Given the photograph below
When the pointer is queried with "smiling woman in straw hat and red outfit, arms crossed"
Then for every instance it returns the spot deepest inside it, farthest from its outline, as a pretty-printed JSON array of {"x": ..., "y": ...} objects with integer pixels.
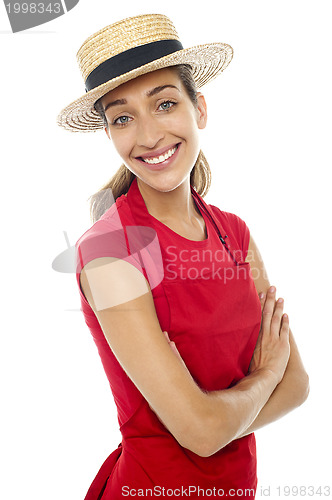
[{"x": 197, "y": 349}]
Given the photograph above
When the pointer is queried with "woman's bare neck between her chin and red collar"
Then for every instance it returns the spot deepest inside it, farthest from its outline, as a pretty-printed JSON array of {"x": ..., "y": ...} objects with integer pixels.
[{"x": 169, "y": 205}]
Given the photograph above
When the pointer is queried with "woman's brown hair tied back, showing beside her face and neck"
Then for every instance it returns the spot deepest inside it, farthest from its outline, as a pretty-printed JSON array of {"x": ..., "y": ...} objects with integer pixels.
[{"x": 200, "y": 176}]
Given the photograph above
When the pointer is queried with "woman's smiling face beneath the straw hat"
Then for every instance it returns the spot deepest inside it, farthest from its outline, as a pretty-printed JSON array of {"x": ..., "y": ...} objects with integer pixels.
[{"x": 154, "y": 126}]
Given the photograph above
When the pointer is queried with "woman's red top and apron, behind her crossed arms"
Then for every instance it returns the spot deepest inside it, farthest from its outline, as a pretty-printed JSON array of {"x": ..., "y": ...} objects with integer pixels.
[{"x": 206, "y": 300}]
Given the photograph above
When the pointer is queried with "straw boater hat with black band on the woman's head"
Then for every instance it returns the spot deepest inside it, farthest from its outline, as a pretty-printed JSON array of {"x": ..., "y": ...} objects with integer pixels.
[{"x": 130, "y": 48}]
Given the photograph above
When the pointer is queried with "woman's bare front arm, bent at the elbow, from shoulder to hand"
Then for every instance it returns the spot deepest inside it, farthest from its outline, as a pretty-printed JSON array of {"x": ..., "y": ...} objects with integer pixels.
[{"x": 203, "y": 422}]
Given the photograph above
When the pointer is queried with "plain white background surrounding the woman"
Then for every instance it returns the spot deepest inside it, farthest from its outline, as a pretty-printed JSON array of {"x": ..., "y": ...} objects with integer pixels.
[{"x": 268, "y": 142}]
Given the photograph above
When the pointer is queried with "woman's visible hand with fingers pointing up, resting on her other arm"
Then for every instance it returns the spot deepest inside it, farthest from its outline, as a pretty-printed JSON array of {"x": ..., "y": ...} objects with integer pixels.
[{"x": 272, "y": 348}]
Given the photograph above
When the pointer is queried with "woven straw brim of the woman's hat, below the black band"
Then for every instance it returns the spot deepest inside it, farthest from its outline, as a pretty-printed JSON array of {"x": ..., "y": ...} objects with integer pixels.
[{"x": 207, "y": 62}]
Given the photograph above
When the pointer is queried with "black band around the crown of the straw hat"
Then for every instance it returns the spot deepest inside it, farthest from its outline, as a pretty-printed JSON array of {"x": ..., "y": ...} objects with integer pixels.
[{"x": 130, "y": 59}]
